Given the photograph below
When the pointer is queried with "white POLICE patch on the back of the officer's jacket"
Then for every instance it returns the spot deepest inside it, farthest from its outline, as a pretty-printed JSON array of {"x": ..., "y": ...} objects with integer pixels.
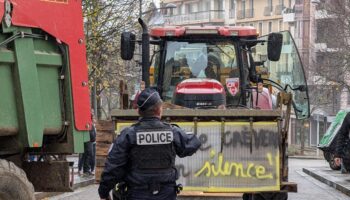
[{"x": 154, "y": 137}]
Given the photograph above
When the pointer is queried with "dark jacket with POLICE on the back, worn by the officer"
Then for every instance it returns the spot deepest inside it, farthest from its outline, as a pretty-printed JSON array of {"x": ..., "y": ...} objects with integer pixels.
[{"x": 122, "y": 161}]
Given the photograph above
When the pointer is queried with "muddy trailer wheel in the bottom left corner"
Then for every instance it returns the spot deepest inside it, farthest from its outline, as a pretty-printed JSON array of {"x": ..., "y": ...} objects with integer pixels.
[{"x": 14, "y": 183}]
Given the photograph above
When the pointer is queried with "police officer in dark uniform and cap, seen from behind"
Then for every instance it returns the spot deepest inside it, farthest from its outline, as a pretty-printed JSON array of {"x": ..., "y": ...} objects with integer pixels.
[{"x": 143, "y": 155}]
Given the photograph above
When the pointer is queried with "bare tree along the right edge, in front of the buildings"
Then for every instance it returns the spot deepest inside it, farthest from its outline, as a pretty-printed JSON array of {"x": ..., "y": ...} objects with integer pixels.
[{"x": 331, "y": 64}]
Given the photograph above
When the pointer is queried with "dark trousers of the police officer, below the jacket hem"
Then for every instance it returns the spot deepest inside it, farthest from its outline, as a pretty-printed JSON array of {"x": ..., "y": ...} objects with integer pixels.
[{"x": 165, "y": 193}]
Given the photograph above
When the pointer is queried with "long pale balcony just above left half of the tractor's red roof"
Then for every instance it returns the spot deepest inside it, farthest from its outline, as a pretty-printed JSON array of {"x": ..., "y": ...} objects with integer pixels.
[{"x": 196, "y": 17}]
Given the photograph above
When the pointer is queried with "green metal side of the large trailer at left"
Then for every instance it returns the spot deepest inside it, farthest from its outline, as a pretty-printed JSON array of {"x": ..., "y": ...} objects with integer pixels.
[{"x": 35, "y": 93}]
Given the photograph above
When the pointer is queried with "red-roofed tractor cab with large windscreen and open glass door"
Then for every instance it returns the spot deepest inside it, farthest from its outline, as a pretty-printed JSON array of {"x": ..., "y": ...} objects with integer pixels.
[{"x": 226, "y": 68}]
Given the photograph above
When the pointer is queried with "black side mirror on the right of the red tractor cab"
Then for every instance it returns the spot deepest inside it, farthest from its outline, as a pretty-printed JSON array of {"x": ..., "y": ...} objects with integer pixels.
[{"x": 274, "y": 46}]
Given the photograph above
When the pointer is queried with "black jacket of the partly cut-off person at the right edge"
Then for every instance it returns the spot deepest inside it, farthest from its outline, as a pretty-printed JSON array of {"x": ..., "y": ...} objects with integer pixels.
[{"x": 342, "y": 138}]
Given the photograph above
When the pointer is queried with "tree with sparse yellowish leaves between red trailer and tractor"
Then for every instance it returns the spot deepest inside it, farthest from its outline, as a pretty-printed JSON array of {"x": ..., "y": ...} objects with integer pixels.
[{"x": 105, "y": 20}]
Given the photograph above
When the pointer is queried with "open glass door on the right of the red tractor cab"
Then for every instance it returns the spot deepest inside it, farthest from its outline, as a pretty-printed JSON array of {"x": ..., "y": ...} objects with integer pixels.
[{"x": 287, "y": 73}]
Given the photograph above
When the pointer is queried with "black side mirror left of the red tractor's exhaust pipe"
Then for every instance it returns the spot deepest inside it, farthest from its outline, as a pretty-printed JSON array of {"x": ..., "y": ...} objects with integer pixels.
[{"x": 127, "y": 43}]
